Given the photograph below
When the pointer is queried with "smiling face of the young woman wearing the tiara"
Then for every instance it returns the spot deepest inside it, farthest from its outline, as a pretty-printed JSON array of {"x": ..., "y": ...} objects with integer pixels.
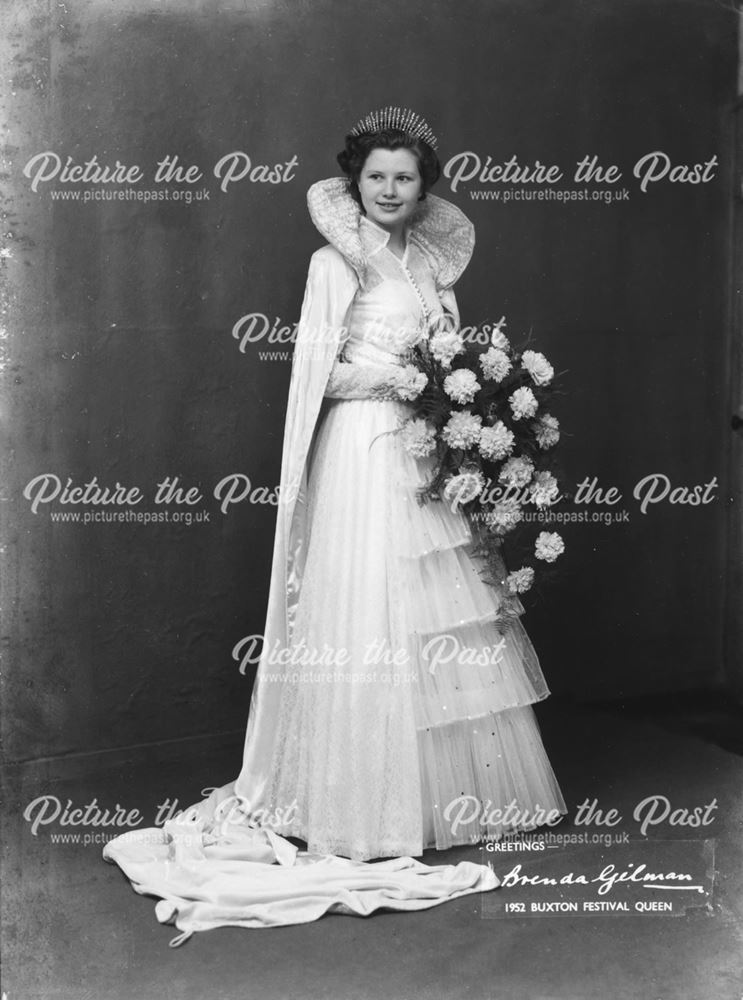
[{"x": 389, "y": 185}]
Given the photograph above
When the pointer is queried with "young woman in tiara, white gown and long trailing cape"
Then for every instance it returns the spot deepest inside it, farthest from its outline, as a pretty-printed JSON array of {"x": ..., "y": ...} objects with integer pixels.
[{"x": 388, "y": 715}]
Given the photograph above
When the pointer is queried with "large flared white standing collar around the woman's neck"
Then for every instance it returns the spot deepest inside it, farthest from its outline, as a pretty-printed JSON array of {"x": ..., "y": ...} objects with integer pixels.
[{"x": 438, "y": 227}]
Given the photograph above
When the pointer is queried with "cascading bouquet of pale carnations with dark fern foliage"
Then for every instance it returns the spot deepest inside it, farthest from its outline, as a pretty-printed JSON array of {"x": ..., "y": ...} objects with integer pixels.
[{"x": 482, "y": 414}]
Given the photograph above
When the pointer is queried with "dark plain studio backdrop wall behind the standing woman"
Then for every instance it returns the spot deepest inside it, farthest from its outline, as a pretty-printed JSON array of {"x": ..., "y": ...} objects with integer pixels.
[{"x": 123, "y": 366}]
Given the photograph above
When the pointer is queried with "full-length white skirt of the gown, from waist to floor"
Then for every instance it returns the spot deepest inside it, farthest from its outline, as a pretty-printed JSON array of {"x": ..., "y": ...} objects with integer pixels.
[{"x": 405, "y": 715}]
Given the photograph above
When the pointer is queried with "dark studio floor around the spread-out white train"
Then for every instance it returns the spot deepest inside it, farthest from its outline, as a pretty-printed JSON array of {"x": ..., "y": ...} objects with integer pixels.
[{"x": 73, "y": 927}]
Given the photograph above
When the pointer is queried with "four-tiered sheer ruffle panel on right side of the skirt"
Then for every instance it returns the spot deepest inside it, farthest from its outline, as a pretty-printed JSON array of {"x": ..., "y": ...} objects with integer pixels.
[{"x": 484, "y": 770}]
